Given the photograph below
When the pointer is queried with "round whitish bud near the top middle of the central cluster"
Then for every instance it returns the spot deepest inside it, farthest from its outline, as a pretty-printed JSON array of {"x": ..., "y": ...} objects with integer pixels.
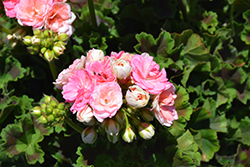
[{"x": 121, "y": 68}]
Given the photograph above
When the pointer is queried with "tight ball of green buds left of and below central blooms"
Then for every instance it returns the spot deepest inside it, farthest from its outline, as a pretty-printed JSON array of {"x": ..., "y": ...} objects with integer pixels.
[{"x": 50, "y": 111}]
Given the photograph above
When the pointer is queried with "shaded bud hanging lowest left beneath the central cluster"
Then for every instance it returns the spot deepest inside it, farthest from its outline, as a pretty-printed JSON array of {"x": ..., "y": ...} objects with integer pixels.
[{"x": 89, "y": 135}]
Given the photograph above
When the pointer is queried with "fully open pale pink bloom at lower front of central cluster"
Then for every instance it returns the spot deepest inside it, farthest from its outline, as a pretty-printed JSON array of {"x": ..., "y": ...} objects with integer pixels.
[{"x": 106, "y": 100}]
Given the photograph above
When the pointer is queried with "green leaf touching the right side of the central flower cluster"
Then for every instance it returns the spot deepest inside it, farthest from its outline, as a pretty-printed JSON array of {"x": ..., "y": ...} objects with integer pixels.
[{"x": 183, "y": 107}]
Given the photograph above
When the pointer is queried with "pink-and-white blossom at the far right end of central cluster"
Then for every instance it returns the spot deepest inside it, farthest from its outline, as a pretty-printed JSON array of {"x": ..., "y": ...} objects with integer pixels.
[{"x": 163, "y": 106}]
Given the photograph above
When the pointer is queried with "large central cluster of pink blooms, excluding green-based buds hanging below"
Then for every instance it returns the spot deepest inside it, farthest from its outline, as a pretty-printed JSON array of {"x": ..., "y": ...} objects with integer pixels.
[{"x": 98, "y": 86}]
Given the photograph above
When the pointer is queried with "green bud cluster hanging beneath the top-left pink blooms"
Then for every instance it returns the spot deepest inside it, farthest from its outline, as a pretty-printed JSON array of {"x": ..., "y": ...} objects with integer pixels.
[{"x": 48, "y": 44}]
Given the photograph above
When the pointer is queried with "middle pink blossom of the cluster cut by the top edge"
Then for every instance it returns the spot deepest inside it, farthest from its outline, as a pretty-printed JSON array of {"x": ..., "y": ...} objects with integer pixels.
[{"x": 32, "y": 12}]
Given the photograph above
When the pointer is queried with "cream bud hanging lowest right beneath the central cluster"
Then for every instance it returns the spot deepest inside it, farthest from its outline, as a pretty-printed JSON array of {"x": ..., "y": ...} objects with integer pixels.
[{"x": 146, "y": 130}]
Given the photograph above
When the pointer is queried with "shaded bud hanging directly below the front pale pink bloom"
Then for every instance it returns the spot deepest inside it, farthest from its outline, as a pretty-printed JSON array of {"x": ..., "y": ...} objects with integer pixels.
[{"x": 111, "y": 127}]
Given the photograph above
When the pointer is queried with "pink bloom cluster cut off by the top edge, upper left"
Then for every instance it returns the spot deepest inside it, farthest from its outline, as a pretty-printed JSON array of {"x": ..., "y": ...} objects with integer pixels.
[{"x": 49, "y": 14}]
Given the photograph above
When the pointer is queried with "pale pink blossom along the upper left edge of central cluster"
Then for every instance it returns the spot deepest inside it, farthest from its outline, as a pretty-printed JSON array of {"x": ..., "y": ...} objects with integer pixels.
[{"x": 63, "y": 77}]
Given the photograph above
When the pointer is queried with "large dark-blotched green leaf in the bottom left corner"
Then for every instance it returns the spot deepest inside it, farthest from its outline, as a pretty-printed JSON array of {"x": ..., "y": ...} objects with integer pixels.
[{"x": 24, "y": 137}]
